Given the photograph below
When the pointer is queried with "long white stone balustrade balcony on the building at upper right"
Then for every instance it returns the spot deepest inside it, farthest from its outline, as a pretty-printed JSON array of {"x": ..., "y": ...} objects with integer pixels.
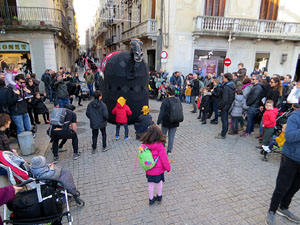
[{"x": 260, "y": 29}]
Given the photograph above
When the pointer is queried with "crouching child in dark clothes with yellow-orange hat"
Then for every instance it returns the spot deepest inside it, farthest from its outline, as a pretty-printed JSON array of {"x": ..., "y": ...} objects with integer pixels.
[{"x": 145, "y": 120}]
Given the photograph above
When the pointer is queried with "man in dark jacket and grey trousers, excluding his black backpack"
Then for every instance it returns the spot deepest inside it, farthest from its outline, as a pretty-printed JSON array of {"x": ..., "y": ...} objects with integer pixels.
[{"x": 164, "y": 117}]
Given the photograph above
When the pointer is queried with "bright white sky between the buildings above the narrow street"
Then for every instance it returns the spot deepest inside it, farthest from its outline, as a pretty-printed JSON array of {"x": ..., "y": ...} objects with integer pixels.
[{"x": 85, "y": 12}]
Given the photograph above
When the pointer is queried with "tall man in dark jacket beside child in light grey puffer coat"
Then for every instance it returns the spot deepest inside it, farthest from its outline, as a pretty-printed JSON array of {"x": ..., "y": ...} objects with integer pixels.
[{"x": 228, "y": 95}]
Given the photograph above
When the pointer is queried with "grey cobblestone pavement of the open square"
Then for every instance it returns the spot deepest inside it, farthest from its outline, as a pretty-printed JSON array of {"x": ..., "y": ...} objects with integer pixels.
[{"x": 212, "y": 181}]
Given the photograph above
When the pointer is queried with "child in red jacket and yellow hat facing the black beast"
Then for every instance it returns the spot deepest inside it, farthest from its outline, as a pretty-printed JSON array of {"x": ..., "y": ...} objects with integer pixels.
[{"x": 121, "y": 111}]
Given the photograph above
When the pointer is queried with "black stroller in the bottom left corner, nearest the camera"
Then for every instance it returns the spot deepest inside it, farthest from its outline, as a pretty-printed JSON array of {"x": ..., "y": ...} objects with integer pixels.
[{"x": 41, "y": 205}]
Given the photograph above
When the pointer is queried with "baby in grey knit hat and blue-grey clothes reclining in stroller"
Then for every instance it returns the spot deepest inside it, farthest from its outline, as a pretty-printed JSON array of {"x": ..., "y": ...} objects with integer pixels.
[{"x": 40, "y": 169}]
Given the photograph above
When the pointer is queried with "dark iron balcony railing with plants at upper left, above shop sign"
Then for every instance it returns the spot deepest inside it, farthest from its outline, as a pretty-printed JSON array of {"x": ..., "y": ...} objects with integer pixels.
[{"x": 33, "y": 17}]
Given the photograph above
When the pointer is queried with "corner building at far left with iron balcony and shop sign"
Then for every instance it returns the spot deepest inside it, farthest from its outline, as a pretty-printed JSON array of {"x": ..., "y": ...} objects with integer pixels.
[{"x": 47, "y": 28}]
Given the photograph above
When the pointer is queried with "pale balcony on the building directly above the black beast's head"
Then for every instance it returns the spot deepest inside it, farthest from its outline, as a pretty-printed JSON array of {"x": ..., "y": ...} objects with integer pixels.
[{"x": 147, "y": 28}]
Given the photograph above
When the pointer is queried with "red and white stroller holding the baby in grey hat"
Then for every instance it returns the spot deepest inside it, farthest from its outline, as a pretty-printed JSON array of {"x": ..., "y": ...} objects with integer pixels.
[{"x": 18, "y": 171}]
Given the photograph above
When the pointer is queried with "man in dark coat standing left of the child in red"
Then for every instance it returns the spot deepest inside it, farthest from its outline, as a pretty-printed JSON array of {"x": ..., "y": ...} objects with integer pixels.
[{"x": 98, "y": 115}]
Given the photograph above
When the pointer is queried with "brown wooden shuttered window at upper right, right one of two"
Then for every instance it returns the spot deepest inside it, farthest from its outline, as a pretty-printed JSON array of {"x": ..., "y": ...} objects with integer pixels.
[{"x": 269, "y": 9}]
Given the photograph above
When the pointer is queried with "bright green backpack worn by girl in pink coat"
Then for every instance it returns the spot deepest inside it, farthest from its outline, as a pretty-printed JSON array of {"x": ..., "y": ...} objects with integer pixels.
[{"x": 145, "y": 158}]
